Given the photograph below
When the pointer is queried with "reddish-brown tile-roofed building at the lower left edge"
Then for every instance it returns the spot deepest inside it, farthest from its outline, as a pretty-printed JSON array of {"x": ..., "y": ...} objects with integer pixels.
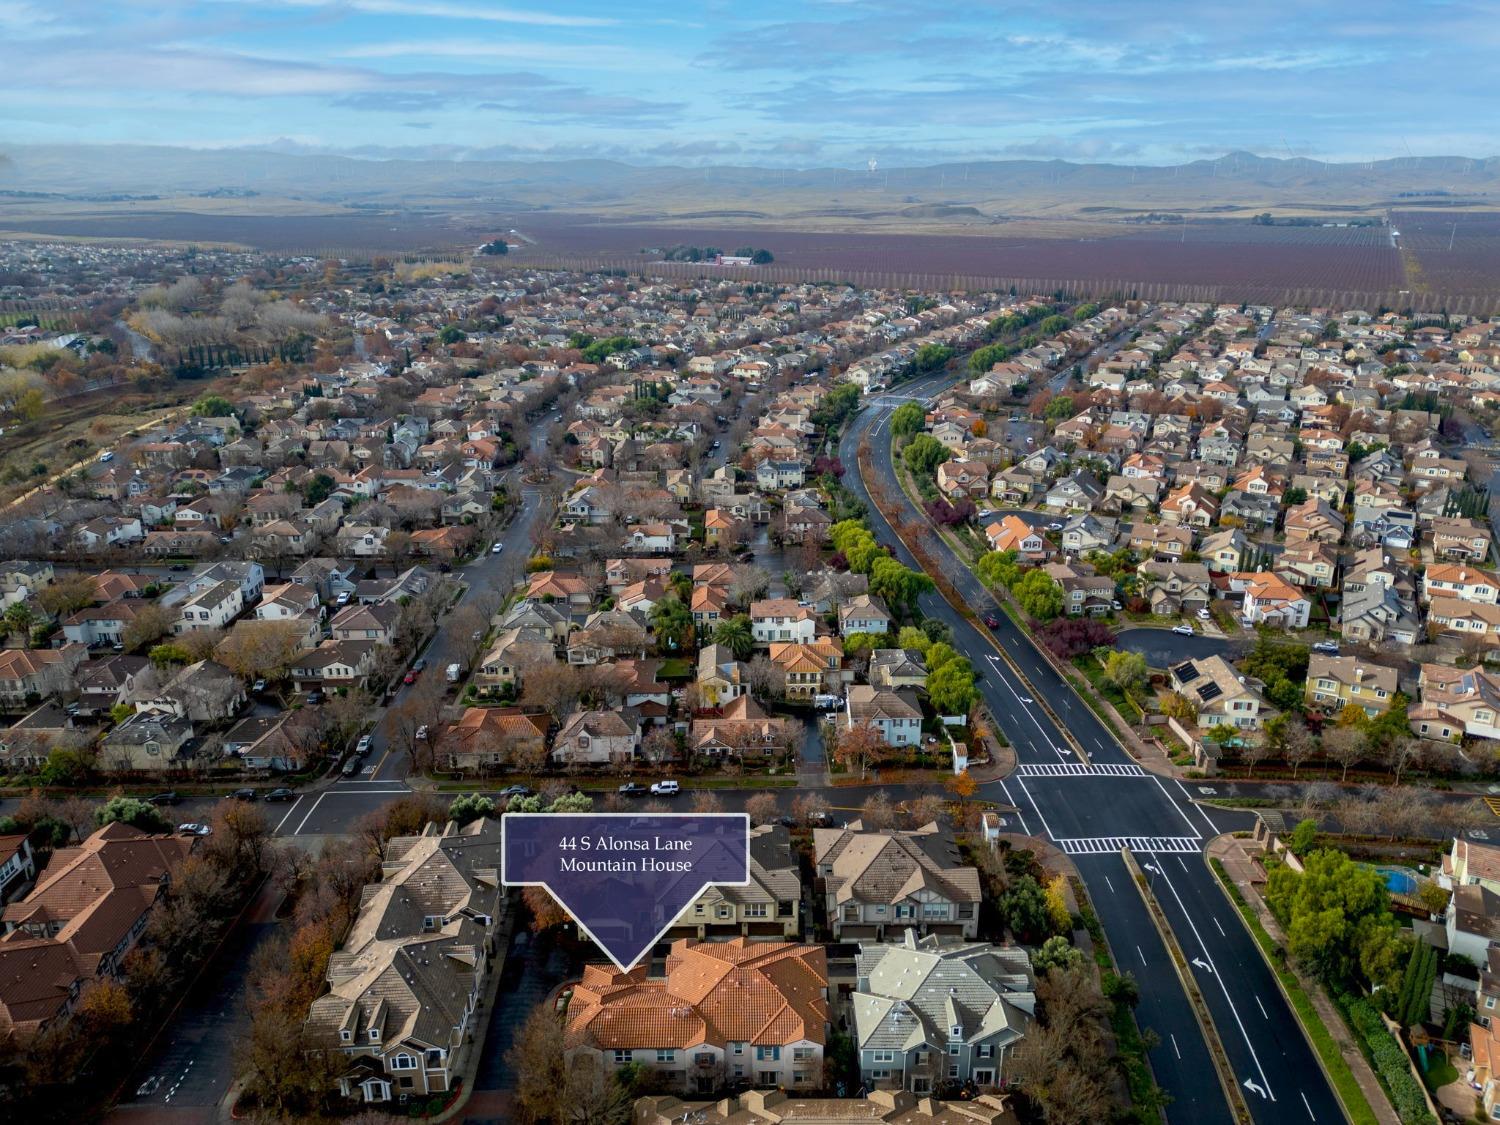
[{"x": 88, "y": 910}]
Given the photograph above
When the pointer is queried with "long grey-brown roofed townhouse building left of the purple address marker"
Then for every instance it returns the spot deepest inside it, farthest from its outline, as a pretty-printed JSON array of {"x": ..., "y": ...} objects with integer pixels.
[{"x": 404, "y": 986}]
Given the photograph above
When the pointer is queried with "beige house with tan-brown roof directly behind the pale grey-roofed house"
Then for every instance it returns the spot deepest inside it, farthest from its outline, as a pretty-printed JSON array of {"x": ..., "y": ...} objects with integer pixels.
[{"x": 880, "y": 883}]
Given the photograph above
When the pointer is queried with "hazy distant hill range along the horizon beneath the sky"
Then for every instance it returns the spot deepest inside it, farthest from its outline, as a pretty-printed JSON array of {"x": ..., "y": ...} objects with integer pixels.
[{"x": 458, "y": 179}]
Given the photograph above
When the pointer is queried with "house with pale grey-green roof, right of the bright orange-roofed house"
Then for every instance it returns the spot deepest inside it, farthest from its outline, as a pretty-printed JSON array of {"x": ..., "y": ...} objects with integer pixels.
[{"x": 937, "y": 1010}]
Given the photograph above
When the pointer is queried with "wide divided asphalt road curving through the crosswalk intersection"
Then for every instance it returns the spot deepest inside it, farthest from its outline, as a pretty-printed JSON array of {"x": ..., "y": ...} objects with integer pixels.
[{"x": 1091, "y": 812}]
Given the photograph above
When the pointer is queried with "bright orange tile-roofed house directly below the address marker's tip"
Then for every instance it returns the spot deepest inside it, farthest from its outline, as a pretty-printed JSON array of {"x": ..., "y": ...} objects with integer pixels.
[{"x": 734, "y": 1012}]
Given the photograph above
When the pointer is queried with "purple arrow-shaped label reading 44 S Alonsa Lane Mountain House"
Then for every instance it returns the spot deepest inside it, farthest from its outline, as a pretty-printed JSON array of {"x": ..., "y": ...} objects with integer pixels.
[{"x": 626, "y": 878}]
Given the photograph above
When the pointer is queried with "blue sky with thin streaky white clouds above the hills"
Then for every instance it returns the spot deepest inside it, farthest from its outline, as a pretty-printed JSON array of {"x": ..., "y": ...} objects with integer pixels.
[{"x": 814, "y": 83}]
